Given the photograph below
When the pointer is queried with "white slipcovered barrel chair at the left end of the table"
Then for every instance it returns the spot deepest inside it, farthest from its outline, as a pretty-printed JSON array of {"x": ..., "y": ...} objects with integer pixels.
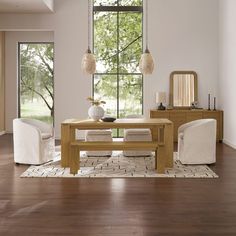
[{"x": 34, "y": 141}]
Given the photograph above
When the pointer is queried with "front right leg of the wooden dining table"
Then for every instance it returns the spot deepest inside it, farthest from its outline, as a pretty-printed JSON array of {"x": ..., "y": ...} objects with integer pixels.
[{"x": 169, "y": 145}]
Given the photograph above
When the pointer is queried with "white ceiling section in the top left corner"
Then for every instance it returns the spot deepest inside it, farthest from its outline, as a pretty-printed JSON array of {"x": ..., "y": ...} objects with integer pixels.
[{"x": 26, "y": 6}]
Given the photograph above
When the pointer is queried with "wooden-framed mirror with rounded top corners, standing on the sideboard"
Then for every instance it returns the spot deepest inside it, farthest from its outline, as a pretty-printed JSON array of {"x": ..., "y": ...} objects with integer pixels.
[{"x": 183, "y": 89}]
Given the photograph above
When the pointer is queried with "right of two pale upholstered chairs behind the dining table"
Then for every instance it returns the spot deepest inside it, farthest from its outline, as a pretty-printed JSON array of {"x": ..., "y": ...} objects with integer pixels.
[{"x": 132, "y": 135}]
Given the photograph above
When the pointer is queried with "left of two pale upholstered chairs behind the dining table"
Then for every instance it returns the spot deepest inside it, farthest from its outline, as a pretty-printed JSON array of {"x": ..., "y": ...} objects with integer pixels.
[{"x": 98, "y": 136}]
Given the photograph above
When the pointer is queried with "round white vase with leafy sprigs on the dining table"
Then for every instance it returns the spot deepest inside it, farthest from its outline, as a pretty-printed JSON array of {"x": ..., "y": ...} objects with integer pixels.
[{"x": 96, "y": 112}]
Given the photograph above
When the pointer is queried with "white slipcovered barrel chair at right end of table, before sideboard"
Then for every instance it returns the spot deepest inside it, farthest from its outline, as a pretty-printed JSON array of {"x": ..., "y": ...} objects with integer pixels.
[{"x": 197, "y": 142}]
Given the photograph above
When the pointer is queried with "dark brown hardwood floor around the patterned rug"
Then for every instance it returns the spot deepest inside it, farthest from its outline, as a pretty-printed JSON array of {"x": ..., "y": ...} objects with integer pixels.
[{"x": 146, "y": 207}]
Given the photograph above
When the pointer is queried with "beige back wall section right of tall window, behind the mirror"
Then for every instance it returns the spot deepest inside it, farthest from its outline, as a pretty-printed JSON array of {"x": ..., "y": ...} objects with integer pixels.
[{"x": 183, "y": 36}]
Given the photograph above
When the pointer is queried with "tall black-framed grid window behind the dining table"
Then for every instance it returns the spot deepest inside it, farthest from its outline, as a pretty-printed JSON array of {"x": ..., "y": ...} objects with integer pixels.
[{"x": 117, "y": 44}]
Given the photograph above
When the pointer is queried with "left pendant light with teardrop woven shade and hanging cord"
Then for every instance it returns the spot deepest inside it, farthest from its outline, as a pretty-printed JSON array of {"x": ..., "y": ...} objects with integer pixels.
[{"x": 88, "y": 61}]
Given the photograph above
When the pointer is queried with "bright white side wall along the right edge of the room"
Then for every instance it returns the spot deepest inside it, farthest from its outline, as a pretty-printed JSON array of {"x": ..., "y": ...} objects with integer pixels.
[{"x": 227, "y": 73}]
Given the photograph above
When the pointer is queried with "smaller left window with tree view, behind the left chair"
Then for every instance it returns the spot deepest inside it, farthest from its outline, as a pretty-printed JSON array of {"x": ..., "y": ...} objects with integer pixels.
[{"x": 36, "y": 98}]
